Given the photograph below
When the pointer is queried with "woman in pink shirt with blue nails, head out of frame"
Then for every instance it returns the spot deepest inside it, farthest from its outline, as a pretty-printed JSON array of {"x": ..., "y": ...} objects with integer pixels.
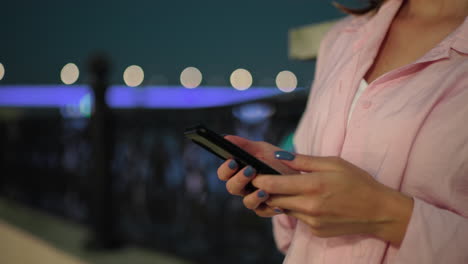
[{"x": 381, "y": 174}]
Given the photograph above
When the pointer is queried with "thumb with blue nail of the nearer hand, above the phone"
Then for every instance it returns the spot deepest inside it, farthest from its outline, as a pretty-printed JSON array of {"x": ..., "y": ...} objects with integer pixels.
[{"x": 306, "y": 163}]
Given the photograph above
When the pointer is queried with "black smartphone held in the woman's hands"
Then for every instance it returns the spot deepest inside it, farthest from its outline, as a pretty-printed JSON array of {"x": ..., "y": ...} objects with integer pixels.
[{"x": 224, "y": 149}]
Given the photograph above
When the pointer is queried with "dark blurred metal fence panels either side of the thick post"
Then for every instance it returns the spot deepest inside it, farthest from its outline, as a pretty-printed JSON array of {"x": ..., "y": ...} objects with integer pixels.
[{"x": 165, "y": 192}]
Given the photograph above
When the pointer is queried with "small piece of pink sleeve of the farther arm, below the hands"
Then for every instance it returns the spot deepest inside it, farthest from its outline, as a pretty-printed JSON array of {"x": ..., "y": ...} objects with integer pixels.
[{"x": 283, "y": 230}]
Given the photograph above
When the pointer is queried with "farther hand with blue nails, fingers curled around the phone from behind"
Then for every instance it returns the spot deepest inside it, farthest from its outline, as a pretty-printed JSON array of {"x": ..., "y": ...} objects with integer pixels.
[{"x": 237, "y": 178}]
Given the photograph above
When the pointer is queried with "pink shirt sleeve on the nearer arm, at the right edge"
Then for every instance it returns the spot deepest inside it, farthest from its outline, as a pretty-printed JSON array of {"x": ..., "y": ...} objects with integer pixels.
[{"x": 437, "y": 178}]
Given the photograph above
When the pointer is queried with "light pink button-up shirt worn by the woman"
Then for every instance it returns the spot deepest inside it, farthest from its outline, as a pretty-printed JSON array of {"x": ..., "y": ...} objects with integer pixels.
[{"x": 409, "y": 130}]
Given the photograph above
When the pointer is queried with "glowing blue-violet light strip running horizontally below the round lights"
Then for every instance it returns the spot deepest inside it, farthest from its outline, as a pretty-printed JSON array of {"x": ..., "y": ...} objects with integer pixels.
[{"x": 154, "y": 97}]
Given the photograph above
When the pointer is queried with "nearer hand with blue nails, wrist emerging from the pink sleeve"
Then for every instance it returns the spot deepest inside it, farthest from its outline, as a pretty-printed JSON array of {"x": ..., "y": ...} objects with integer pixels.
[{"x": 336, "y": 198}]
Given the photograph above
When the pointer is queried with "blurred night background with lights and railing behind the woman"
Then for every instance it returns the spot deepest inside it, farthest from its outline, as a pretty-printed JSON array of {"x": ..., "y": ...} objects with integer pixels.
[{"x": 94, "y": 99}]
